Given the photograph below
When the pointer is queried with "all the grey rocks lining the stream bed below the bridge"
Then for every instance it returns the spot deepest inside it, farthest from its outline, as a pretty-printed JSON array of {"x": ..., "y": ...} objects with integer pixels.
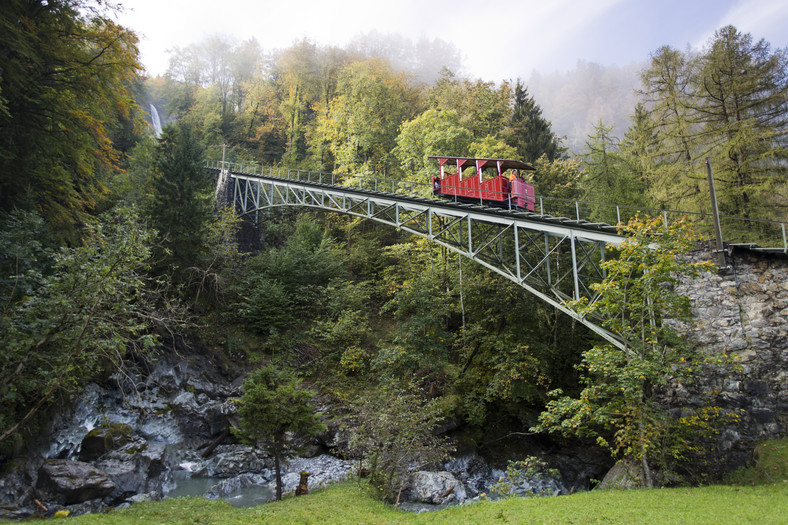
[{"x": 171, "y": 426}]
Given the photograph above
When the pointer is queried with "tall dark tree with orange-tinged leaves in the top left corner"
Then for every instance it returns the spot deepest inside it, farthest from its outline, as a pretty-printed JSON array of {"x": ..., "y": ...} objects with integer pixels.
[{"x": 67, "y": 72}]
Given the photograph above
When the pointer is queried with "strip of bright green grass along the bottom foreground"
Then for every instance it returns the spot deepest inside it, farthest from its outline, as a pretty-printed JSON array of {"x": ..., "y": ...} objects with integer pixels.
[{"x": 349, "y": 503}]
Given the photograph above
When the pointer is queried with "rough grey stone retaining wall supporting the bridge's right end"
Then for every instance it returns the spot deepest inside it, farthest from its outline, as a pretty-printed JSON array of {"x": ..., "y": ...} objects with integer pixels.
[{"x": 742, "y": 313}]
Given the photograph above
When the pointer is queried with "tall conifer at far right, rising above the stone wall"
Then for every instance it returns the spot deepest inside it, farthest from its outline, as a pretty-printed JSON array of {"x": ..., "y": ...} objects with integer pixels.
[{"x": 742, "y": 110}]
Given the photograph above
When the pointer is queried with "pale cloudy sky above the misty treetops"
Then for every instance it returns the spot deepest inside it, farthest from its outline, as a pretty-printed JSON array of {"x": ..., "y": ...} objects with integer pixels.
[{"x": 498, "y": 39}]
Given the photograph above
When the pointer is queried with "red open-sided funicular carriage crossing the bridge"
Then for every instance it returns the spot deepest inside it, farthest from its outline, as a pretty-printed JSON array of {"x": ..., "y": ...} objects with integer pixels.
[{"x": 489, "y": 183}]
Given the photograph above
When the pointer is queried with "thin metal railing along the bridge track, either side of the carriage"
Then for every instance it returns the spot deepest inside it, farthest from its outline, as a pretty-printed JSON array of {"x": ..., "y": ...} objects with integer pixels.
[{"x": 735, "y": 229}]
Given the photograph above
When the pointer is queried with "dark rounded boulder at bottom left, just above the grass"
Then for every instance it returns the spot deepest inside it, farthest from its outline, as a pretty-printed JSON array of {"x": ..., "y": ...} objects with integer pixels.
[{"x": 72, "y": 482}]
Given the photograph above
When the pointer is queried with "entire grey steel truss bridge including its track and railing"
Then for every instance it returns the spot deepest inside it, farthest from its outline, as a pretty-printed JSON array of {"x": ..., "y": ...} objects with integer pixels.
[{"x": 554, "y": 257}]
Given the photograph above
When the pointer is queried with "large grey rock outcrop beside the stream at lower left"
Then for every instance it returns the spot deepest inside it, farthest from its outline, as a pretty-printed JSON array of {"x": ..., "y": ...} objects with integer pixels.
[{"x": 121, "y": 442}]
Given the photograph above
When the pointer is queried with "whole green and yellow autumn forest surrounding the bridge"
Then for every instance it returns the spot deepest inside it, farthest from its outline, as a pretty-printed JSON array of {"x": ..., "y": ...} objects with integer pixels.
[{"x": 112, "y": 247}]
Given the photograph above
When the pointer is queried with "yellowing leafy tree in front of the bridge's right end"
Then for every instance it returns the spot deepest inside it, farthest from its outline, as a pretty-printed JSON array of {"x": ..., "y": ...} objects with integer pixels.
[{"x": 618, "y": 403}]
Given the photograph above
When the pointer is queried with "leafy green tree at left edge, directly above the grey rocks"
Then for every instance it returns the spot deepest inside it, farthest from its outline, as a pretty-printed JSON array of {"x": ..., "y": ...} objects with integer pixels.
[{"x": 94, "y": 307}]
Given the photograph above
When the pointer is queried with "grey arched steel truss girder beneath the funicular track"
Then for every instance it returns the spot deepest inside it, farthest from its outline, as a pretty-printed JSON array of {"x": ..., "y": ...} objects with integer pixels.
[{"x": 552, "y": 258}]
